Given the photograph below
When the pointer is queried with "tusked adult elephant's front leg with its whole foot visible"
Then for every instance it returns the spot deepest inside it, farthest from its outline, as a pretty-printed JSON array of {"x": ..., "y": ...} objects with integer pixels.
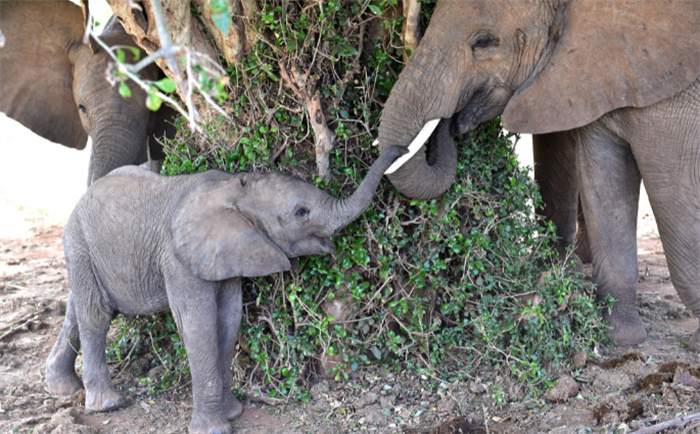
[{"x": 609, "y": 183}]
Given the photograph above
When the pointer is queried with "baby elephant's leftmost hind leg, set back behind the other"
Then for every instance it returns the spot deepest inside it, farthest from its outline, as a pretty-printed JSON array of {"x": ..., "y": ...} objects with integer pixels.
[{"x": 61, "y": 378}]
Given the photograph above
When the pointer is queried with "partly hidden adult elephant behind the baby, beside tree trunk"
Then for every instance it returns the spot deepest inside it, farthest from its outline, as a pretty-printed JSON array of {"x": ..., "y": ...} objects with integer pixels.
[{"x": 55, "y": 85}]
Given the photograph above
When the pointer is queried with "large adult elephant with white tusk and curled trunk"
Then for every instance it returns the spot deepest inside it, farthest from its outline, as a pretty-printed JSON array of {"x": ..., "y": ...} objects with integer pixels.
[{"x": 616, "y": 83}]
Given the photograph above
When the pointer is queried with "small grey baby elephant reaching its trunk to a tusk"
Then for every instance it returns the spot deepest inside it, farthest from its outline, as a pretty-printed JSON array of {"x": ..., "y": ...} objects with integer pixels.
[{"x": 138, "y": 243}]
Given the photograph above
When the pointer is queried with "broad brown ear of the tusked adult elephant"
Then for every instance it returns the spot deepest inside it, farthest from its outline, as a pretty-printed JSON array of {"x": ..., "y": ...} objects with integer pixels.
[{"x": 610, "y": 54}]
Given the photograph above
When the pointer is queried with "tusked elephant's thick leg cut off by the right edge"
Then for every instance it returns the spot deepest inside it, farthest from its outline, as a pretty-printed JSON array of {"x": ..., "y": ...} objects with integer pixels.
[{"x": 669, "y": 160}]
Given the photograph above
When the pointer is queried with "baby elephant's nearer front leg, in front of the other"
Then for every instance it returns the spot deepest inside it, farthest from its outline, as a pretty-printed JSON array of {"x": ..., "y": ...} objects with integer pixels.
[{"x": 194, "y": 307}]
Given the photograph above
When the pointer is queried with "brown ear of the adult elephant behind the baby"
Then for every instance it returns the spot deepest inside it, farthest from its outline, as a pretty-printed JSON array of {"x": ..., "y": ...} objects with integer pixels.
[{"x": 36, "y": 77}]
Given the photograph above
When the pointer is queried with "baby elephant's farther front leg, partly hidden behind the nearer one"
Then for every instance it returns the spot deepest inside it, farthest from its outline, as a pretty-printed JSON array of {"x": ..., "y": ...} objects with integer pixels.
[{"x": 230, "y": 311}]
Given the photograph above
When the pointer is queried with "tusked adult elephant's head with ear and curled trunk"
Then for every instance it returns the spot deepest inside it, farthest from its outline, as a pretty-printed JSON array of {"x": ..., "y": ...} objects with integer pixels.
[{"x": 545, "y": 65}]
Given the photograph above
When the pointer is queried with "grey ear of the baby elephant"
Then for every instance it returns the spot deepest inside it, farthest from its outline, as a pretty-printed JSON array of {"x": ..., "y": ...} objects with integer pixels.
[{"x": 216, "y": 242}]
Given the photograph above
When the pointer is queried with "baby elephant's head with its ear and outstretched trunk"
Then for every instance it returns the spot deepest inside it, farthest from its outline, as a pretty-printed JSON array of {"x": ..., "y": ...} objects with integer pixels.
[{"x": 252, "y": 224}]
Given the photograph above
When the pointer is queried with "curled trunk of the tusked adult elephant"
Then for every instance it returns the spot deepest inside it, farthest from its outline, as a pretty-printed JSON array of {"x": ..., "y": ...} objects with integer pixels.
[{"x": 424, "y": 91}]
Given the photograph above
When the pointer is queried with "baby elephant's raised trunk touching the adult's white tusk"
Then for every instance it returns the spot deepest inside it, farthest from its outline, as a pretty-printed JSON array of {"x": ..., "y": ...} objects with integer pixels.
[{"x": 342, "y": 212}]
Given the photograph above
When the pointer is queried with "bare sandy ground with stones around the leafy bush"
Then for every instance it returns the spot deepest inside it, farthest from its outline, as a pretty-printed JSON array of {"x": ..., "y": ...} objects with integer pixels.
[{"x": 623, "y": 390}]
